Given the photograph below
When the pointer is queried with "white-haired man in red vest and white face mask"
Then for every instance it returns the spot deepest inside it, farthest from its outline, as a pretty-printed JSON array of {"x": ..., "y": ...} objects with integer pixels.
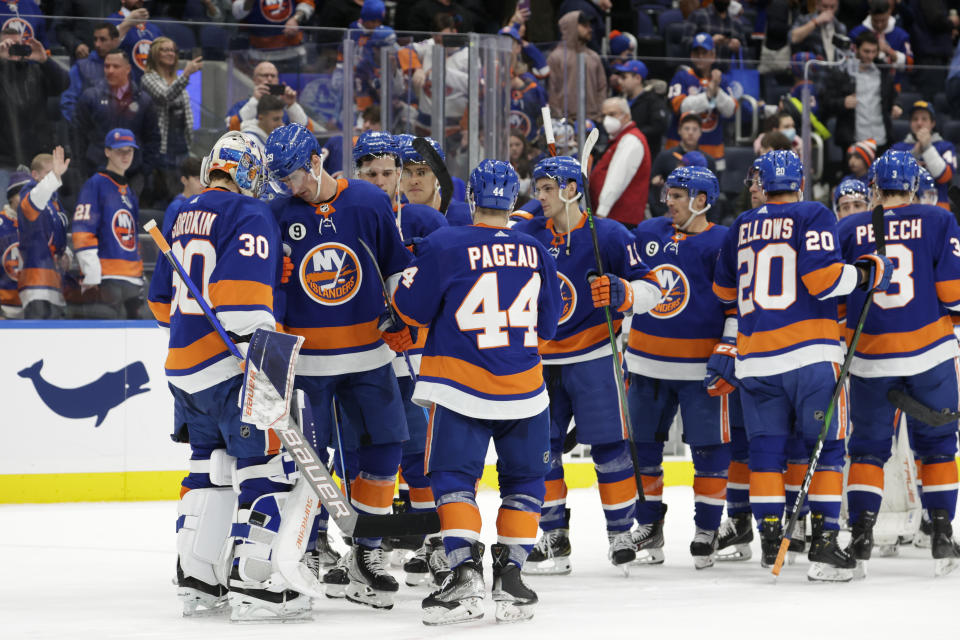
[{"x": 620, "y": 181}]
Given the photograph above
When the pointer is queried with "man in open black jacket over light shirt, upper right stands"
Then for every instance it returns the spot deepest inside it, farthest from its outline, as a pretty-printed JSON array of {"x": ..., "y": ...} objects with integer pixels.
[{"x": 861, "y": 96}]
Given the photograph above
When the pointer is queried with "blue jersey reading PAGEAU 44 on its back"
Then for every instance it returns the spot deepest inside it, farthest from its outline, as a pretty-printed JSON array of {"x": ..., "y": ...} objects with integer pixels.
[{"x": 488, "y": 294}]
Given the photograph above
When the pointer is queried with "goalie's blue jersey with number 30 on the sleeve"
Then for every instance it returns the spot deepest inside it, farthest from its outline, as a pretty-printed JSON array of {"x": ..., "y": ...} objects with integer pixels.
[{"x": 229, "y": 245}]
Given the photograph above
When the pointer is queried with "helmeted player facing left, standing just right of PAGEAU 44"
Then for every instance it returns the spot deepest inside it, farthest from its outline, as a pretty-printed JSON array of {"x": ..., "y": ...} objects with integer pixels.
[{"x": 578, "y": 363}]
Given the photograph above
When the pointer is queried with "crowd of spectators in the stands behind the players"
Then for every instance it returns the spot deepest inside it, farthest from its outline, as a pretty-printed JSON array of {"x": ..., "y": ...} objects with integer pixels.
[{"x": 97, "y": 120}]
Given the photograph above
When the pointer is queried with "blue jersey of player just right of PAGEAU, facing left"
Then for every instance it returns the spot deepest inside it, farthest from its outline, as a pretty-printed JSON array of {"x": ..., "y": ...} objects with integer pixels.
[{"x": 582, "y": 333}]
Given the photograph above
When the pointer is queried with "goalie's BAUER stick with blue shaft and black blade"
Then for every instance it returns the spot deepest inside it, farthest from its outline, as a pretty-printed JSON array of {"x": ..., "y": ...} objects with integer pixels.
[{"x": 348, "y": 520}]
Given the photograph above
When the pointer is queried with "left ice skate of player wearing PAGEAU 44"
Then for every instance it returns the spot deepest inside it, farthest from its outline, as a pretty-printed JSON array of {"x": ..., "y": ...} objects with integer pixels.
[{"x": 460, "y": 599}]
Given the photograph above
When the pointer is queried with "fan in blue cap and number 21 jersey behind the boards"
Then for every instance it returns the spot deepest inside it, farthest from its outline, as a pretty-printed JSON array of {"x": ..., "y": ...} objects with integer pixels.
[{"x": 105, "y": 241}]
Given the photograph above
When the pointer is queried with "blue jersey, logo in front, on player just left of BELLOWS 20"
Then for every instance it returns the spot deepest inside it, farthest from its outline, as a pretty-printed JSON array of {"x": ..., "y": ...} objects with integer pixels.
[{"x": 674, "y": 340}]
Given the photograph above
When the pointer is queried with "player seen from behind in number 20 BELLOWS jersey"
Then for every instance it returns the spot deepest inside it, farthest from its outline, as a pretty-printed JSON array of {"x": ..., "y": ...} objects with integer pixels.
[{"x": 781, "y": 264}]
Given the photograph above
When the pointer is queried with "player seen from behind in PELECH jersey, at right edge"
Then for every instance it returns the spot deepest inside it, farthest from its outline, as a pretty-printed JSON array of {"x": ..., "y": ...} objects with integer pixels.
[{"x": 908, "y": 344}]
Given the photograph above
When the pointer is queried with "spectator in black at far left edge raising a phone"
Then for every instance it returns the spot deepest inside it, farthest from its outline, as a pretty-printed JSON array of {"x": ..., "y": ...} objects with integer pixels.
[{"x": 26, "y": 82}]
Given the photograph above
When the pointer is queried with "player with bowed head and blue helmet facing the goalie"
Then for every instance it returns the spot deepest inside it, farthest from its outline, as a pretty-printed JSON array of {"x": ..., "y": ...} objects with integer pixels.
[{"x": 336, "y": 302}]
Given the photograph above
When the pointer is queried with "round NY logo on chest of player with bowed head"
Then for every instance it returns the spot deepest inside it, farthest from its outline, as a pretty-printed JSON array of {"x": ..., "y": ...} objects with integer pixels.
[{"x": 330, "y": 273}]
